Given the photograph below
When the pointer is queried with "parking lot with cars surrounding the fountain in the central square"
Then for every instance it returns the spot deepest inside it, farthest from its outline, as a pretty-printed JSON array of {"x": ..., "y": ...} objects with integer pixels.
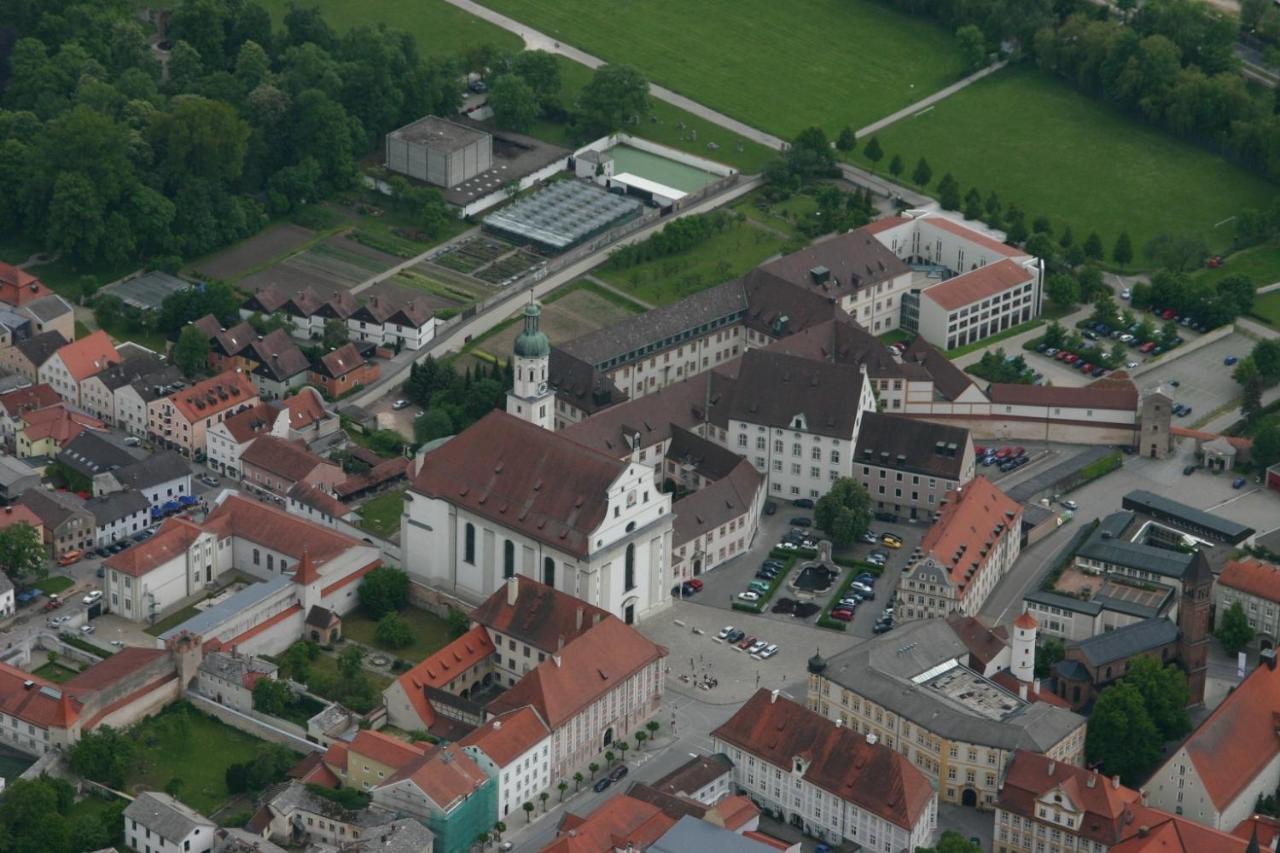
[{"x": 723, "y": 585}]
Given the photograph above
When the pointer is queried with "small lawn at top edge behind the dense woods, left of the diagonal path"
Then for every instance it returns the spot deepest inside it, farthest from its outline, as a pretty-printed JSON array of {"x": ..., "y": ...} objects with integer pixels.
[{"x": 441, "y": 30}]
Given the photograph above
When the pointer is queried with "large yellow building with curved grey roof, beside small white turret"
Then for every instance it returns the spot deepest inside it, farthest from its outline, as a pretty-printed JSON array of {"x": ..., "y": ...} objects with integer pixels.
[{"x": 947, "y": 704}]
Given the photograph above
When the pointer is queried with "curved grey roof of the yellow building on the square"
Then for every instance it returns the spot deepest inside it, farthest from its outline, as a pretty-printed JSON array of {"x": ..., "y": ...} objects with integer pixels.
[{"x": 883, "y": 672}]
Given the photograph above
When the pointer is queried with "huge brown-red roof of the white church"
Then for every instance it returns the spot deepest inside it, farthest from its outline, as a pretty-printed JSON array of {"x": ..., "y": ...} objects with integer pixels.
[{"x": 525, "y": 478}]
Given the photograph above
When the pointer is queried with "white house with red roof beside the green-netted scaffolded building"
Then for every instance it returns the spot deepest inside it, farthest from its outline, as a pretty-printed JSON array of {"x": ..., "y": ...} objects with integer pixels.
[{"x": 514, "y": 750}]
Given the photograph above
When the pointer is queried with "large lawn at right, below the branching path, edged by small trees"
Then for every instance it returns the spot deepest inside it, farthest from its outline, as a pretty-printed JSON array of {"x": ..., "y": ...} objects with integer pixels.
[{"x": 1058, "y": 153}]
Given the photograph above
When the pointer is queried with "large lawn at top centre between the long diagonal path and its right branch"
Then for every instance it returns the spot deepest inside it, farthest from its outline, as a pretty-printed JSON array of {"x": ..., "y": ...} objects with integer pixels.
[{"x": 781, "y": 67}]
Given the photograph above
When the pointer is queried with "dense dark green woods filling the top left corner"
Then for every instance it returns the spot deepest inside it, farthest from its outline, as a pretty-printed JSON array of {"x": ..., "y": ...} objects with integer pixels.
[{"x": 112, "y": 152}]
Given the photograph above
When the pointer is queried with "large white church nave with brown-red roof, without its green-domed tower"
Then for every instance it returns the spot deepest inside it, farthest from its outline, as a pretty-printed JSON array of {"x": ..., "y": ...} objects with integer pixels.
[{"x": 592, "y": 526}]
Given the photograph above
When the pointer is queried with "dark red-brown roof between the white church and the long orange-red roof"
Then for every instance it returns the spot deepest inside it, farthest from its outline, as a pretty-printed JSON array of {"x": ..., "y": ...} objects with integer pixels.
[{"x": 541, "y": 617}]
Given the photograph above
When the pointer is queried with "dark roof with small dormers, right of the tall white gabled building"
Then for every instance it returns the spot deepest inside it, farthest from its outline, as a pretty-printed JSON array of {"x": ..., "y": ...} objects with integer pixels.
[{"x": 911, "y": 445}]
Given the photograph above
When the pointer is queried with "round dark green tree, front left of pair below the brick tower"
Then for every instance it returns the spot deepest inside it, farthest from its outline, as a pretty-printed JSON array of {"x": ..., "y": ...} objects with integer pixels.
[{"x": 1122, "y": 736}]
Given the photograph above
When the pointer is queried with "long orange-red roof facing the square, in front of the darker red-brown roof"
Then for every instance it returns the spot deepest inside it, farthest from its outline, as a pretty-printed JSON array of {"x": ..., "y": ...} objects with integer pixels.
[{"x": 589, "y": 668}]
